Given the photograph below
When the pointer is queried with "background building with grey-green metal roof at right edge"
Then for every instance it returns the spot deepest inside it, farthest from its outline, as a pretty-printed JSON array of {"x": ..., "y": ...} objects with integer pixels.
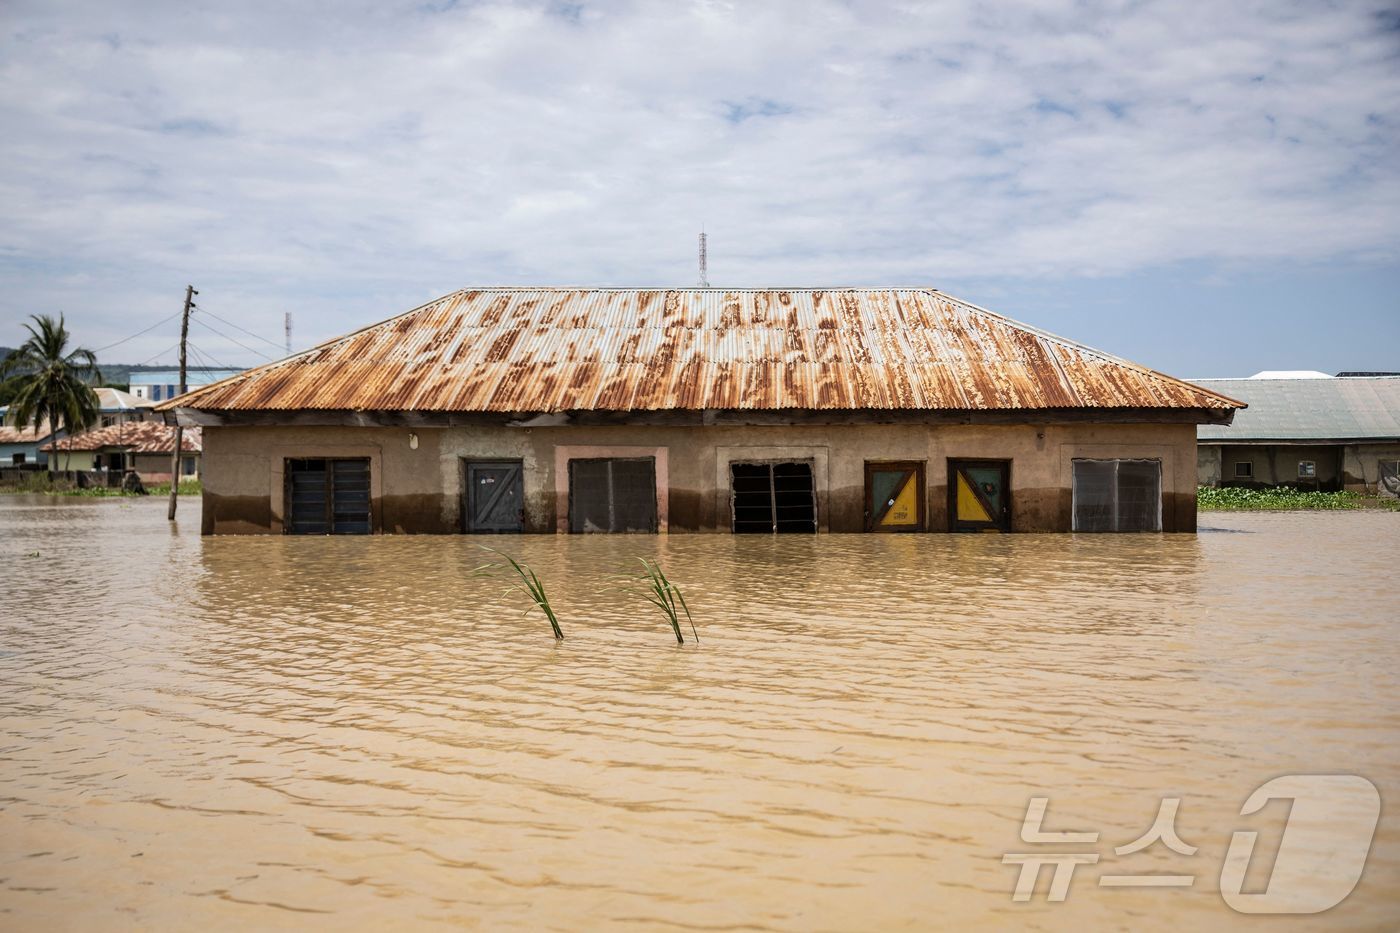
[{"x": 1310, "y": 431}]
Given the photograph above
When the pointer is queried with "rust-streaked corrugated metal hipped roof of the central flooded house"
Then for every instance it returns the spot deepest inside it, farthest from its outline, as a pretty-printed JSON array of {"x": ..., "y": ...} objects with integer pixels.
[{"x": 639, "y": 350}]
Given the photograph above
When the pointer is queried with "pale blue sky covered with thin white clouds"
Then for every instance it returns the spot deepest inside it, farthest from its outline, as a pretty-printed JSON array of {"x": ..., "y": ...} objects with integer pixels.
[{"x": 1209, "y": 188}]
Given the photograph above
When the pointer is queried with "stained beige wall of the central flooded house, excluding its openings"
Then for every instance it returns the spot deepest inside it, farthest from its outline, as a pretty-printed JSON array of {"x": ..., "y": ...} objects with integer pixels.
[{"x": 416, "y": 488}]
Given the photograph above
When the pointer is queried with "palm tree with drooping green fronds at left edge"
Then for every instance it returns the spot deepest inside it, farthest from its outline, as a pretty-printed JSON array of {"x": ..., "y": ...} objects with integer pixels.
[{"x": 50, "y": 385}]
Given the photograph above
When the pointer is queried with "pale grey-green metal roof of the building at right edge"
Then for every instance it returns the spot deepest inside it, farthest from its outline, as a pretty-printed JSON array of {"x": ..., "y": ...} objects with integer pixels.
[{"x": 1352, "y": 408}]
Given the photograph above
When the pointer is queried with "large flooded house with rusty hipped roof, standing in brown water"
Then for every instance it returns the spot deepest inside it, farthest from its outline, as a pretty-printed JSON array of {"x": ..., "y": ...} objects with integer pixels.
[{"x": 531, "y": 410}]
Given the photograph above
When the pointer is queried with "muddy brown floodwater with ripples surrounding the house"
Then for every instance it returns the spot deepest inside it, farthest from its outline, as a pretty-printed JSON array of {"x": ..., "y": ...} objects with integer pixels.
[{"x": 237, "y": 733}]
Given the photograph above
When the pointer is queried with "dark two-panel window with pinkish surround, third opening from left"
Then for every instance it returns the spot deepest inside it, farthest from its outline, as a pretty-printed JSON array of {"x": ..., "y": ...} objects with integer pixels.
[{"x": 612, "y": 495}]
